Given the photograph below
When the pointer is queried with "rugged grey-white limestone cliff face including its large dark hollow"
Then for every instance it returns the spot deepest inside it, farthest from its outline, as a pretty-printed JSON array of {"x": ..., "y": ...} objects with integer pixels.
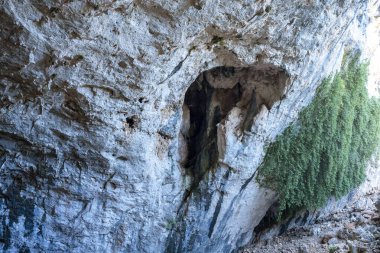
[{"x": 137, "y": 126}]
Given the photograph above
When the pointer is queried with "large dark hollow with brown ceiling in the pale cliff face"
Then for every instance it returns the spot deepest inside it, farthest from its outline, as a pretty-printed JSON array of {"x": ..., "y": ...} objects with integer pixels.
[{"x": 211, "y": 97}]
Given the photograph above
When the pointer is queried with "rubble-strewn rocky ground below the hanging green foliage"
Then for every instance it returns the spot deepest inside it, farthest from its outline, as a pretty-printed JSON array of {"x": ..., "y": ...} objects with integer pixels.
[{"x": 356, "y": 229}]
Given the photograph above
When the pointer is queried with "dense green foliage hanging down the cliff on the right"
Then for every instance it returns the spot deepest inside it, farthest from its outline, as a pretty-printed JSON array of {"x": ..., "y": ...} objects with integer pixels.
[{"x": 325, "y": 152}]
